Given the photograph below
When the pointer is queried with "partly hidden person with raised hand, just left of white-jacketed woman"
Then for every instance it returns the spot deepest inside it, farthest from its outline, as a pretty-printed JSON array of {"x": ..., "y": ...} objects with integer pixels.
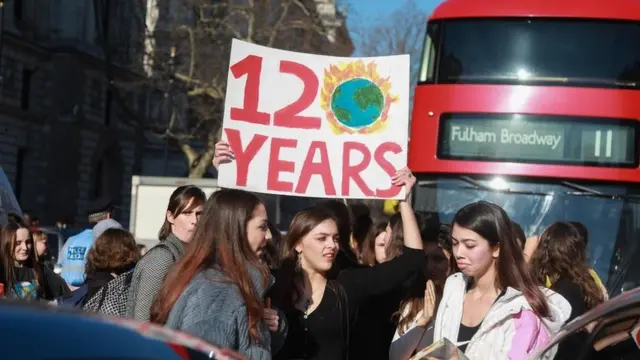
[{"x": 414, "y": 318}]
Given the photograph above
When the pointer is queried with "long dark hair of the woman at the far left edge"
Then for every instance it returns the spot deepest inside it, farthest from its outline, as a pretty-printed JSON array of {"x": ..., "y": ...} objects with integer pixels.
[{"x": 8, "y": 237}]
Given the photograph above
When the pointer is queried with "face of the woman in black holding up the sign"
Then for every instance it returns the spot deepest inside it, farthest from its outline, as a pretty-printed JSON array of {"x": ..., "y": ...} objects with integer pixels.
[{"x": 318, "y": 249}]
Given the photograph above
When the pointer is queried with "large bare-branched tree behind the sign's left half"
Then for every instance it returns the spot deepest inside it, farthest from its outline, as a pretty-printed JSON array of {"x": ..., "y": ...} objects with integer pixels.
[{"x": 194, "y": 86}]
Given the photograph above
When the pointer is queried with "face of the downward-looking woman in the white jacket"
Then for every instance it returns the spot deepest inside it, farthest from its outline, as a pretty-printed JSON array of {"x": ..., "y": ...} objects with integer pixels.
[{"x": 473, "y": 253}]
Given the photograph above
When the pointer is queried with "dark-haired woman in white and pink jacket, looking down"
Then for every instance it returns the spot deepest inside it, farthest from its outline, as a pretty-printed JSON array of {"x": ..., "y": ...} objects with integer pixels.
[{"x": 493, "y": 308}]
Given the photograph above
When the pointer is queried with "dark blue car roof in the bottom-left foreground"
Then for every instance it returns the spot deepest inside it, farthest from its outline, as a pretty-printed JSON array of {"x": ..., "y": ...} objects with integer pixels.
[{"x": 35, "y": 330}]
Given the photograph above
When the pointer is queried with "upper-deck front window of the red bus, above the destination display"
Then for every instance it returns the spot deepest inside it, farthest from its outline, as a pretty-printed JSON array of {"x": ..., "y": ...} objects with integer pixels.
[{"x": 540, "y": 51}]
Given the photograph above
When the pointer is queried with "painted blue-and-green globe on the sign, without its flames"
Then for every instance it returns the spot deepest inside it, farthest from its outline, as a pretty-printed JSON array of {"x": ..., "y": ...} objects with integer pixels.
[{"x": 357, "y": 103}]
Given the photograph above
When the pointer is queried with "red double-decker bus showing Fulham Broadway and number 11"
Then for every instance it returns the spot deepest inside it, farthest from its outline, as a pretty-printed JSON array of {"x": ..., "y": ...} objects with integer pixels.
[{"x": 535, "y": 105}]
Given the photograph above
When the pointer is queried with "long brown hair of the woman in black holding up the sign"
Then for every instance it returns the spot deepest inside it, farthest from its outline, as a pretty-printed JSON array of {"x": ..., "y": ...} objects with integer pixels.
[{"x": 285, "y": 291}]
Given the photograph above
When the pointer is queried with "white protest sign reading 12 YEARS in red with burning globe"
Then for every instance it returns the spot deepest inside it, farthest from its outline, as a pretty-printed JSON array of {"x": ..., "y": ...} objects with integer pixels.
[{"x": 311, "y": 125}]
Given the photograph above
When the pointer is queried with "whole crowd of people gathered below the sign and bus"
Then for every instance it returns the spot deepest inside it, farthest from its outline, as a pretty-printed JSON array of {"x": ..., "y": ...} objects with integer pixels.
[{"x": 339, "y": 284}]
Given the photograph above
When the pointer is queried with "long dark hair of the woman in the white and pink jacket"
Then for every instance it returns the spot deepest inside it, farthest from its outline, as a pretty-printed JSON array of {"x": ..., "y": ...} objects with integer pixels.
[{"x": 492, "y": 223}]
